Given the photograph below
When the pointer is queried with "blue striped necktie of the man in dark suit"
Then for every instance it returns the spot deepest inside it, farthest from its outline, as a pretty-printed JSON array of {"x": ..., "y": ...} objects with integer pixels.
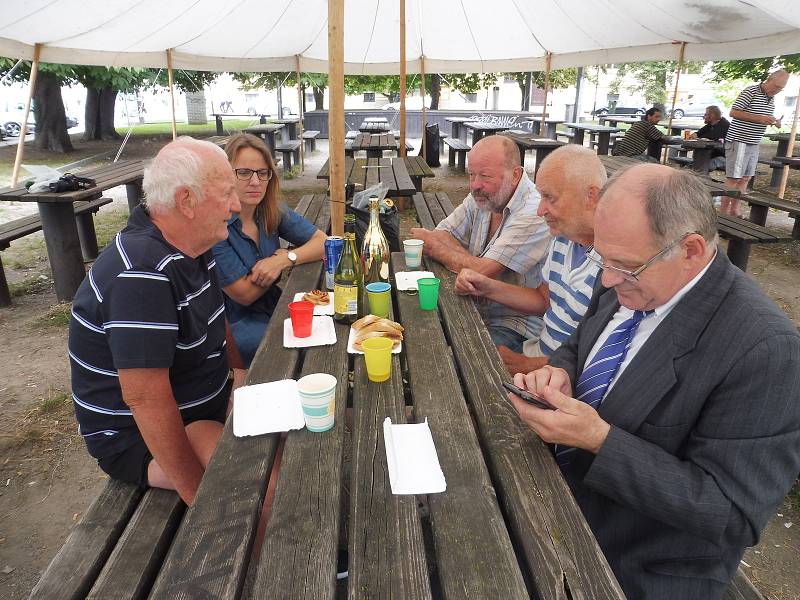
[{"x": 600, "y": 372}]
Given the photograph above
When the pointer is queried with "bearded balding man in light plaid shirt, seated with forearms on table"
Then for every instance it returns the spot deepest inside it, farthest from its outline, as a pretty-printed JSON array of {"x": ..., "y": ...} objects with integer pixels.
[{"x": 496, "y": 232}]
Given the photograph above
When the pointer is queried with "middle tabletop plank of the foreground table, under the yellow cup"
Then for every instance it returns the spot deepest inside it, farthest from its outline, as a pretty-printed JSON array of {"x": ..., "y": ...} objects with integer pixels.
[{"x": 385, "y": 548}]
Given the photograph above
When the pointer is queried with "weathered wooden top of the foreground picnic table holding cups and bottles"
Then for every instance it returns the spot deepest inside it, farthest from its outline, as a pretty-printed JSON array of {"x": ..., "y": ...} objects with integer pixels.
[{"x": 537, "y": 545}]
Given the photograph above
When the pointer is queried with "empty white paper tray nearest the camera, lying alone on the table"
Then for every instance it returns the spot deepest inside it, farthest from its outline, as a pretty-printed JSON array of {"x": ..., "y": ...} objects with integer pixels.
[{"x": 411, "y": 459}]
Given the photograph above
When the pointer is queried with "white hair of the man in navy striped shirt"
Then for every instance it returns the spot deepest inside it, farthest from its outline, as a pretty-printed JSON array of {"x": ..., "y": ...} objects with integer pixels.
[{"x": 178, "y": 164}]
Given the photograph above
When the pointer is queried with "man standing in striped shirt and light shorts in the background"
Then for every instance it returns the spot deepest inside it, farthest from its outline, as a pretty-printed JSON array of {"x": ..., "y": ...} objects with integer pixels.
[{"x": 750, "y": 114}]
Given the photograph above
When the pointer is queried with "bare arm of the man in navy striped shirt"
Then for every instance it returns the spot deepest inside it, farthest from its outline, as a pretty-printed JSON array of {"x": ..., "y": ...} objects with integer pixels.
[{"x": 148, "y": 393}]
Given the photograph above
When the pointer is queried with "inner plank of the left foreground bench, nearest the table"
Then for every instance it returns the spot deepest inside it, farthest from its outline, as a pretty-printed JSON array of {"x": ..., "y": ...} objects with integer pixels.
[{"x": 136, "y": 559}]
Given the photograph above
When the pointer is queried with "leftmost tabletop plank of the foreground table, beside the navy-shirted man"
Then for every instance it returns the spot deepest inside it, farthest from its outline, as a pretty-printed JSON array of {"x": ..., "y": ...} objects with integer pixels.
[{"x": 211, "y": 551}]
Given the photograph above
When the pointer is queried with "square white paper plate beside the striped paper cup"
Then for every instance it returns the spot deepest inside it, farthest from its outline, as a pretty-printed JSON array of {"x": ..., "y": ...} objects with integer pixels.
[{"x": 267, "y": 408}]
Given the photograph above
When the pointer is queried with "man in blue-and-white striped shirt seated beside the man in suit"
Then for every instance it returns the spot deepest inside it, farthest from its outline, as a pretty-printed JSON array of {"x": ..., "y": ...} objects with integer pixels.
[{"x": 569, "y": 181}]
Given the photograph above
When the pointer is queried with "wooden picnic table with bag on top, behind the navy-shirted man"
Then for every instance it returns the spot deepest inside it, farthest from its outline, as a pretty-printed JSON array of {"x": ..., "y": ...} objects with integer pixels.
[{"x": 58, "y": 218}]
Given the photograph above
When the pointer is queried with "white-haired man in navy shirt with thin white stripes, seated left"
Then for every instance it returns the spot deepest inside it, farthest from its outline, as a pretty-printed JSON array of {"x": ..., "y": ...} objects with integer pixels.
[{"x": 148, "y": 343}]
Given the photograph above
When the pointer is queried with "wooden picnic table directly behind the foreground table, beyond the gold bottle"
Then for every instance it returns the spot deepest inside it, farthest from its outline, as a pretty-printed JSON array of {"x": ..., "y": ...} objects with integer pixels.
[{"x": 402, "y": 175}]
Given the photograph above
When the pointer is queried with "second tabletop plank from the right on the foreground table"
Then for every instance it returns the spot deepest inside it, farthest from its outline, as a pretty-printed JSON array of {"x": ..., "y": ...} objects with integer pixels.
[{"x": 474, "y": 555}]
